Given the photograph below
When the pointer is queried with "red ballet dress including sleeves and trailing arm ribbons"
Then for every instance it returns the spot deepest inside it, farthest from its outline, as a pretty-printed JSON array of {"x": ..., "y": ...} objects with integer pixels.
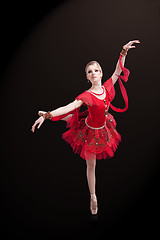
[{"x": 94, "y": 131}]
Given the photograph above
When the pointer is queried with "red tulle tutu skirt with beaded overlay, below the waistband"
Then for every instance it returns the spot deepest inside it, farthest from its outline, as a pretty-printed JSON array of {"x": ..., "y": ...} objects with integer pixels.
[{"x": 85, "y": 141}]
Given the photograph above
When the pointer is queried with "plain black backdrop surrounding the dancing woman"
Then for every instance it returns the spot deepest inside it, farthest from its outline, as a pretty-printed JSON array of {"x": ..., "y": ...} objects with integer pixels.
[{"x": 44, "y": 49}]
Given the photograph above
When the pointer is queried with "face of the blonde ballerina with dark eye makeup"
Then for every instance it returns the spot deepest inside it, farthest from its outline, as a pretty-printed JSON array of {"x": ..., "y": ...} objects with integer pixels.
[{"x": 93, "y": 73}]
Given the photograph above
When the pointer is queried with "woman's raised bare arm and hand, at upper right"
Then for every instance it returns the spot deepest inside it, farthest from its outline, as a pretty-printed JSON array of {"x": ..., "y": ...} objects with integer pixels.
[{"x": 118, "y": 69}]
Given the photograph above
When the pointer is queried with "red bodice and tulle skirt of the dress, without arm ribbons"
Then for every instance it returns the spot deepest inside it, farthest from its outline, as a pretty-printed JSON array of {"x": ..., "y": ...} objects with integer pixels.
[{"x": 86, "y": 141}]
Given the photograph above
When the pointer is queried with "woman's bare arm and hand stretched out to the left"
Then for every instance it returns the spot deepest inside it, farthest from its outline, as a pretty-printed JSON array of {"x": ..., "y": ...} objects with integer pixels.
[{"x": 59, "y": 111}]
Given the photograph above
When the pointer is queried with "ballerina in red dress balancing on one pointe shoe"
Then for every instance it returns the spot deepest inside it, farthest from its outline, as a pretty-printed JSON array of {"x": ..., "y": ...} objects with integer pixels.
[{"x": 92, "y": 133}]
